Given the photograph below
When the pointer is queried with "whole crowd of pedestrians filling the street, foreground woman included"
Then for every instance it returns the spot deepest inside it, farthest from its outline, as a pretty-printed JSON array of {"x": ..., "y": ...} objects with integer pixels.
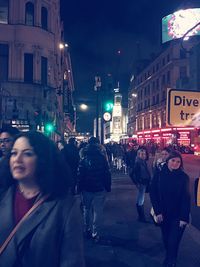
[{"x": 40, "y": 181}]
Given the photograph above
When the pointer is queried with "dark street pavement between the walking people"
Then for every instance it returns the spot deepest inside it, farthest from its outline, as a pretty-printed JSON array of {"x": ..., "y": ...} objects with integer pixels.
[{"x": 129, "y": 243}]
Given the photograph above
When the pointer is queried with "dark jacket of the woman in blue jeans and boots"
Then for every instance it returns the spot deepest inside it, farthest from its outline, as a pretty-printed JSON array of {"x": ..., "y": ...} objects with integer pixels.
[{"x": 141, "y": 172}]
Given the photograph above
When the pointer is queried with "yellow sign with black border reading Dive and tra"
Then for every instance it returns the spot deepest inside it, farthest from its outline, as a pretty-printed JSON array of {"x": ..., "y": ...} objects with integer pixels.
[{"x": 183, "y": 108}]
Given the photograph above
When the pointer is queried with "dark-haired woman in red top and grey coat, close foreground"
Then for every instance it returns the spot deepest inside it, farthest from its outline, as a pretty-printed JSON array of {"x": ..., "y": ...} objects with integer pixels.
[{"x": 38, "y": 209}]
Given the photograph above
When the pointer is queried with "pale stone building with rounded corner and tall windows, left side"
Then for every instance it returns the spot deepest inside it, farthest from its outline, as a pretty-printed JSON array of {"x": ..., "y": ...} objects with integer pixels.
[{"x": 31, "y": 63}]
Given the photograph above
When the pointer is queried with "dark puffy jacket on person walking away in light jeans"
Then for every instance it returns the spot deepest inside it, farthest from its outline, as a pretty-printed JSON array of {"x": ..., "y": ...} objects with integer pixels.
[{"x": 93, "y": 172}]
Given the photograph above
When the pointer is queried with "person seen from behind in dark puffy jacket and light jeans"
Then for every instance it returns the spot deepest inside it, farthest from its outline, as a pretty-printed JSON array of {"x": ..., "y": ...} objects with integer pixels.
[{"x": 94, "y": 179}]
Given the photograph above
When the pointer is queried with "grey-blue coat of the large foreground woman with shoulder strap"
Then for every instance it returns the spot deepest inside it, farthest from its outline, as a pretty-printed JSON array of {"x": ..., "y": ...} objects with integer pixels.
[{"x": 51, "y": 236}]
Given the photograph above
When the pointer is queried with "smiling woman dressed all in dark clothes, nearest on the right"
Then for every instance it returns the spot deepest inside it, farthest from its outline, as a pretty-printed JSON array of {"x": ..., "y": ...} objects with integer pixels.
[{"x": 170, "y": 197}]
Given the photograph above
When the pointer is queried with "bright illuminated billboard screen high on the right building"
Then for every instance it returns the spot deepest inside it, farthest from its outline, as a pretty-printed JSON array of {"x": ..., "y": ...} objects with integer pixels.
[{"x": 175, "y": 25}]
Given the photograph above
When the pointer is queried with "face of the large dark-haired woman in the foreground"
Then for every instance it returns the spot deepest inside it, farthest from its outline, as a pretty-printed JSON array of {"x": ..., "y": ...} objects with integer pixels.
[{"x": 23, "y": 160}]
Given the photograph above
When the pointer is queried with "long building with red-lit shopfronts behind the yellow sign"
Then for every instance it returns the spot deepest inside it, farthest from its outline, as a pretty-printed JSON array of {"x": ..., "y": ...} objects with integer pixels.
[{"x": 148, "y": 93}]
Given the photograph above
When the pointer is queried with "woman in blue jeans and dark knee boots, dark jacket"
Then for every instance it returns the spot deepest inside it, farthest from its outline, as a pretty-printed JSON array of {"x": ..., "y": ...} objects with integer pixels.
[{"x": 142, "y": 180}]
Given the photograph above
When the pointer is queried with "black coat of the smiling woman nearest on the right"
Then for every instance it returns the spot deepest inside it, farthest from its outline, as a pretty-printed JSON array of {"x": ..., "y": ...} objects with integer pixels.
[{"x": 170, "y": 194}]
